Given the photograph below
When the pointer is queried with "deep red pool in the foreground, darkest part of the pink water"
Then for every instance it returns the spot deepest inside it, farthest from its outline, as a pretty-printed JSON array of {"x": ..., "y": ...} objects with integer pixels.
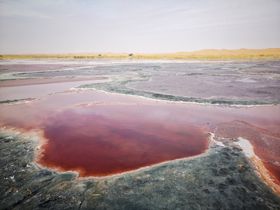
[{"x": 97, "y": 144}]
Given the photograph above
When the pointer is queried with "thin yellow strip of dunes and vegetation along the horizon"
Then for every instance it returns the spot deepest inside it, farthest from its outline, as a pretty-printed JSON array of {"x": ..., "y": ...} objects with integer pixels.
[{"x": 211, "y": 54}]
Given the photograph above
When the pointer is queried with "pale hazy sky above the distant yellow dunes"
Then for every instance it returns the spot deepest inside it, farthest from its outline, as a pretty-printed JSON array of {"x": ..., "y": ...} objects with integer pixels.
[{"x": 137, "y": 26}]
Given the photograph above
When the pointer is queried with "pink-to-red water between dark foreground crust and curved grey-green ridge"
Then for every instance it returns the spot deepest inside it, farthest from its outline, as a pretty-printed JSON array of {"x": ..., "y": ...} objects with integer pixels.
[{"x": 101, "y": 134}]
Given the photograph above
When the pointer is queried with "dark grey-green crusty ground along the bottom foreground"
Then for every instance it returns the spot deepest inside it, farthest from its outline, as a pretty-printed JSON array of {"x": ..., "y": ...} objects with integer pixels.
[{"x": 222, "y": 178}]
